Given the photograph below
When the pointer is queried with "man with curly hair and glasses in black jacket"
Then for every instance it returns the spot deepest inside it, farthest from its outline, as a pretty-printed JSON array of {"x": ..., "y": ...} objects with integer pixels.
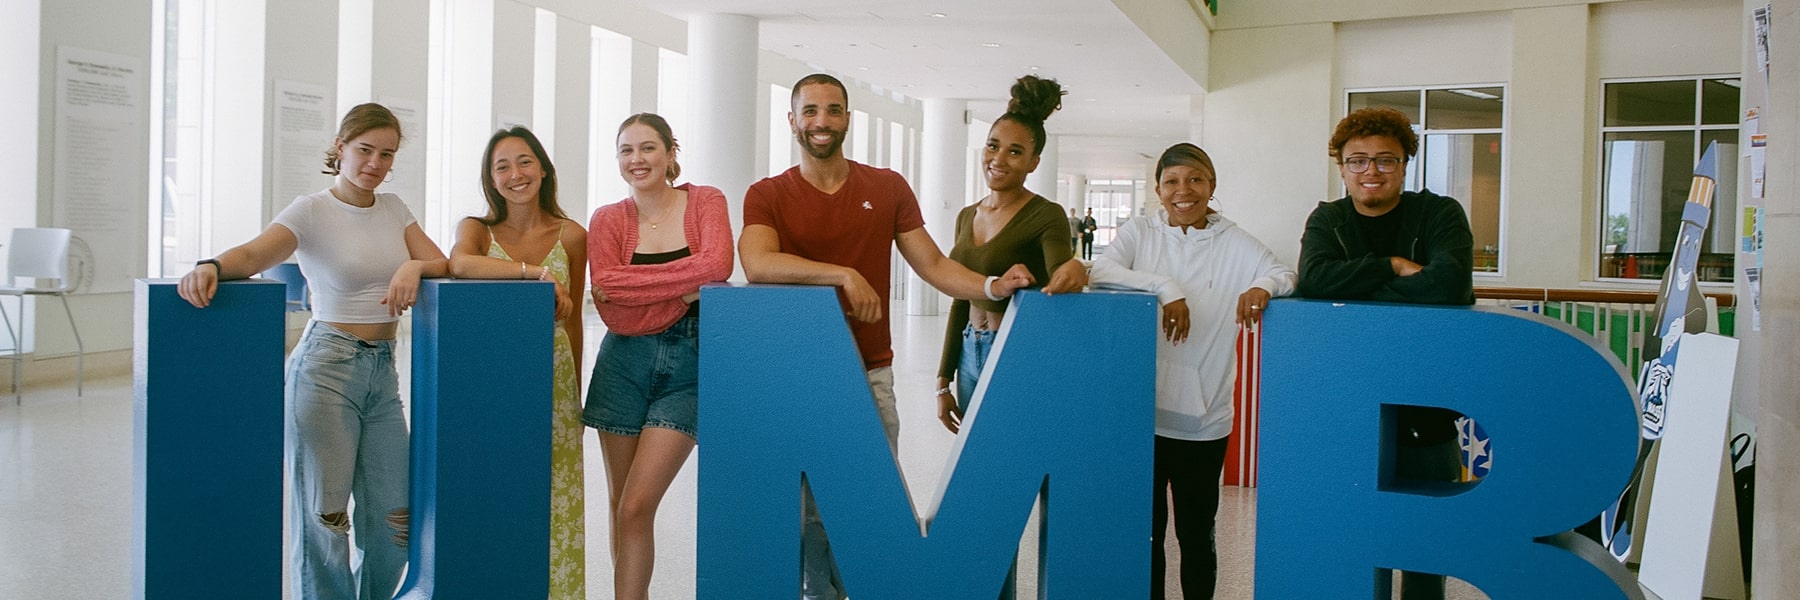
[{"x": 1385, "y": 244}]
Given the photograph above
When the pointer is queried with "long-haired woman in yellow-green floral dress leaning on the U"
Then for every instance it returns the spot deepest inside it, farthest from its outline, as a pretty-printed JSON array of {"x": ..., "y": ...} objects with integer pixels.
[{"x": 528, "y": 237}]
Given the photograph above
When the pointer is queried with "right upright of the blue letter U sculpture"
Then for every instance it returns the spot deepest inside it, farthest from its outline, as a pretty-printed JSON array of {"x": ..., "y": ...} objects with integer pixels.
[{"x": 481, "y": 441}]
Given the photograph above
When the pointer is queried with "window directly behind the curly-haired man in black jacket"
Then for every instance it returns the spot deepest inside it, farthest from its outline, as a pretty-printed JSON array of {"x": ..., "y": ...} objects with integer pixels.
[{"x": 1461, "y": 140}]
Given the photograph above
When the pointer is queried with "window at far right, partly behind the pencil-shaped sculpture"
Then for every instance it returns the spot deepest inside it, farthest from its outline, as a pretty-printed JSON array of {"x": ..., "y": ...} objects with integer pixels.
[{"x": 1651, "y": 136}]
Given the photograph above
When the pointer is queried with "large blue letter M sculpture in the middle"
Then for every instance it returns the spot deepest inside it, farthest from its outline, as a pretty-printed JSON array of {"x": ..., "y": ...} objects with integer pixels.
[{"x": 784, "y": 397}]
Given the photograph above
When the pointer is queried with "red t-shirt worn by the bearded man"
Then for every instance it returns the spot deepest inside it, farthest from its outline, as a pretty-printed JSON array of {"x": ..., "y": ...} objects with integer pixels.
[{"x": 854, "y": 228}]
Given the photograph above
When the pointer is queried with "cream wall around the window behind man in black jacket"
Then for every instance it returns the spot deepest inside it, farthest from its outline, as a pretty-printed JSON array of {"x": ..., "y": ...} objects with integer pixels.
[{"x": 1277, "y": 93}]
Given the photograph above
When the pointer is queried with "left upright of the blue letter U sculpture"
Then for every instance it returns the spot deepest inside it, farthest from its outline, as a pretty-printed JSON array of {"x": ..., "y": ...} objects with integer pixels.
[{"x": 206, "y": 464}]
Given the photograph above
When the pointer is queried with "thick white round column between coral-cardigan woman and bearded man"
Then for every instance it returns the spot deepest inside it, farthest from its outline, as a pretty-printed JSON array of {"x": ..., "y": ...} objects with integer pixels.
[{"x": 723, "y": 86}]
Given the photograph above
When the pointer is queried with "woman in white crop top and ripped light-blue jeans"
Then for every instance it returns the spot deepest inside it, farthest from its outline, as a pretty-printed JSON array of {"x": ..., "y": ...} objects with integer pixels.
[{"x": 363, "y": 255}]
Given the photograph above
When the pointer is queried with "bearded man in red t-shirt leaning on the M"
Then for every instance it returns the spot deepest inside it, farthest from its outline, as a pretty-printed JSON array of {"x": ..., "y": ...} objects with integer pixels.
[{"x": 834, "y": 223}]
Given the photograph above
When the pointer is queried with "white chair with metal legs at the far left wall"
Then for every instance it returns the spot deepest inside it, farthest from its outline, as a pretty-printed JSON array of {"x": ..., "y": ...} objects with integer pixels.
[{"x": 39, "y": 255}]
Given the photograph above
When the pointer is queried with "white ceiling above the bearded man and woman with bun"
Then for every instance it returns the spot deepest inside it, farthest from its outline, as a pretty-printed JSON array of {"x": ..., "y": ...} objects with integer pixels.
[{"x": 1128, "y": 100}]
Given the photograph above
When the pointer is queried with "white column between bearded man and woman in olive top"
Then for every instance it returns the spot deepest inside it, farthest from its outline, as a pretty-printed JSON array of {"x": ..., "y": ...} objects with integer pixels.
[{"x": 940, "y": 188}]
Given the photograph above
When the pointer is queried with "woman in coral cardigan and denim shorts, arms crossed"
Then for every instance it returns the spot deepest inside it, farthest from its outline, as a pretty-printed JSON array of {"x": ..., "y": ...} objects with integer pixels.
[{"x": 649, "y": 257}]
